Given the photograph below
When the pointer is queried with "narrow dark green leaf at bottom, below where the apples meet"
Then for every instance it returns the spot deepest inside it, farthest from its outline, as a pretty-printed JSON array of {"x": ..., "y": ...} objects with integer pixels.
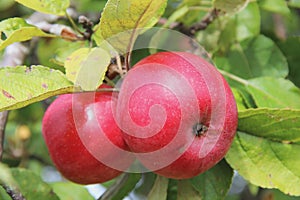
[{"x": 129, "y": 185}]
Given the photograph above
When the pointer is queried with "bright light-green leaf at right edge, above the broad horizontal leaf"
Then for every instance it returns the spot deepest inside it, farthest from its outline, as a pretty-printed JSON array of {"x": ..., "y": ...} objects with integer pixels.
[{"x": 274, "y": 92}]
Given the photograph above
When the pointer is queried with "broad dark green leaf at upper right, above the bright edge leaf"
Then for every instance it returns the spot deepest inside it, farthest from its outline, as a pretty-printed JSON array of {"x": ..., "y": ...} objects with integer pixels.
[{"x": 254, "y": 58}]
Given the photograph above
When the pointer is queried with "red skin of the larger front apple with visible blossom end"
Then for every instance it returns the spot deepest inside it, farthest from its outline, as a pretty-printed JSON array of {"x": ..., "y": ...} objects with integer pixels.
[{"x": 140, "y": 106}]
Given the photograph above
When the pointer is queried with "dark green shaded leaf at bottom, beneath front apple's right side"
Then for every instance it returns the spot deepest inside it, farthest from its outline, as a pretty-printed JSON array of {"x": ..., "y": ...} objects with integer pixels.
[{"x": 214, "y": 183}]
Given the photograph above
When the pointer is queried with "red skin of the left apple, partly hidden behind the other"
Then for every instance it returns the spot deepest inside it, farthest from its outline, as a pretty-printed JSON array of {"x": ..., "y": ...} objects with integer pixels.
[{"x": 69, "y": 154}]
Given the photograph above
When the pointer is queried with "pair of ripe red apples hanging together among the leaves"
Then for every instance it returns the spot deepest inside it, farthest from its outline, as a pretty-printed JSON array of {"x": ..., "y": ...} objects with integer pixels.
[{"x": 174, "y": 113}]
